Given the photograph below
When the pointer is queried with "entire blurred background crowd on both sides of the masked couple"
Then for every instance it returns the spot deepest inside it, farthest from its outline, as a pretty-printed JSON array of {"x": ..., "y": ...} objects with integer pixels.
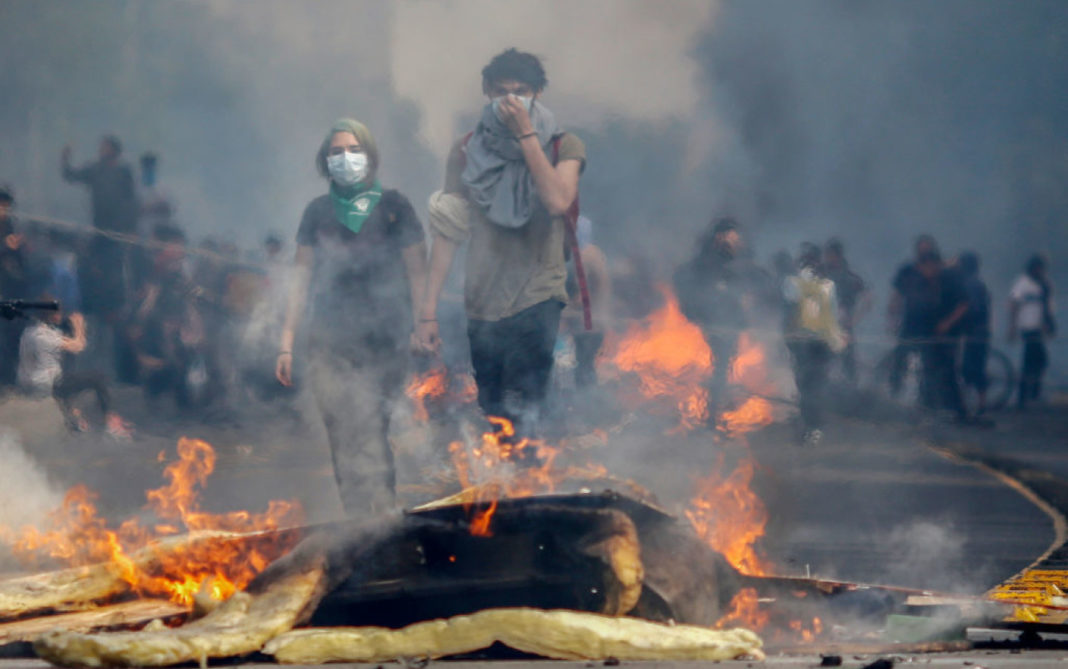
[{"x": 198, "y": 324}]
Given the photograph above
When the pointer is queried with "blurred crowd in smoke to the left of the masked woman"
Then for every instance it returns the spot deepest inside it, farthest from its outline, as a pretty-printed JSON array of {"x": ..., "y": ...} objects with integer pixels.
[{"x": 139, "y": 304}]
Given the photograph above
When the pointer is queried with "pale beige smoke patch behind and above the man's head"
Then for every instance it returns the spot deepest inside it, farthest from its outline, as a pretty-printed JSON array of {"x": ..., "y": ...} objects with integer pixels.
[{"x": 604, "y": 58}]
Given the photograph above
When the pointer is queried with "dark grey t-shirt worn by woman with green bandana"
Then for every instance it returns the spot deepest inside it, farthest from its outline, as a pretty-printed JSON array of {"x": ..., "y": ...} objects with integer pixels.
[{"x": 360, "y": 297}]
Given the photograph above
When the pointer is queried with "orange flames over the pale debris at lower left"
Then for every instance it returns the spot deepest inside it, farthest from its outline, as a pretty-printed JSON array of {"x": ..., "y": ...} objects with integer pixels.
[{"x": 78, "y": 537}]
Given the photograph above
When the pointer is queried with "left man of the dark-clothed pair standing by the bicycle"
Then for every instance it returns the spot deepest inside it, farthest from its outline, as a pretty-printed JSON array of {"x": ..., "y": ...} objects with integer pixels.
[{"x": 905, "y": 314}]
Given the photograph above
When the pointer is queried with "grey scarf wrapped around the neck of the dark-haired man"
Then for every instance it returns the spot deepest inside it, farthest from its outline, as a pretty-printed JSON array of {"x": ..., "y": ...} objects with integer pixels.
[{"x": 496, "y": 175}]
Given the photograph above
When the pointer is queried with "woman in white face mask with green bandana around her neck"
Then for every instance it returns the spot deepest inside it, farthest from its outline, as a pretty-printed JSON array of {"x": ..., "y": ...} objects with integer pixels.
[{"x": 360, "y": 272}]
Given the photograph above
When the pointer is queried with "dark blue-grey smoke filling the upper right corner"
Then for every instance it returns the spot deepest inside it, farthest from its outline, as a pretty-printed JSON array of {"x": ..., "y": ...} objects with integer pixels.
[{"x": 877, "y": 122}]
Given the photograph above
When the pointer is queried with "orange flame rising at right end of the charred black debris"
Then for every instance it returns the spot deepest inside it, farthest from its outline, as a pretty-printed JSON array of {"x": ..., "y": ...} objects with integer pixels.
[{"x": 730, "y": 518}]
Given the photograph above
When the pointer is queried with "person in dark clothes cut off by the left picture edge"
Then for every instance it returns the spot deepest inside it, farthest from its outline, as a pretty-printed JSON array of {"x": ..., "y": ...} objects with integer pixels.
[{"x": 14, "y": 282}]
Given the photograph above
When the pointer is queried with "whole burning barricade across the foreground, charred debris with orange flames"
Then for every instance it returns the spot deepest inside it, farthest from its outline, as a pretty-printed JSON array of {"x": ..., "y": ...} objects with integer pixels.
[{"x": 525, "y": 555}]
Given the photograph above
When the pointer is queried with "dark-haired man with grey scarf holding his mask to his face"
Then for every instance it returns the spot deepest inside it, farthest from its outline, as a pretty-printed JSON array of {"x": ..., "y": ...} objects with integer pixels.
[{"x": 509, "y": 189}]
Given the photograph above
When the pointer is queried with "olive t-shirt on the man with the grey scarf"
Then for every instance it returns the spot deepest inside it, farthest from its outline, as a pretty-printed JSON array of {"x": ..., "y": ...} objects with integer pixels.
[{"x": 510, "y": 270}]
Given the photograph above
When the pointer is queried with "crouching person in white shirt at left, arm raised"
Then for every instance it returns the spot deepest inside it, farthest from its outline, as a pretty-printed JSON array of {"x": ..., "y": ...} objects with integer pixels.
[{"x": 41, "y": 372}]
